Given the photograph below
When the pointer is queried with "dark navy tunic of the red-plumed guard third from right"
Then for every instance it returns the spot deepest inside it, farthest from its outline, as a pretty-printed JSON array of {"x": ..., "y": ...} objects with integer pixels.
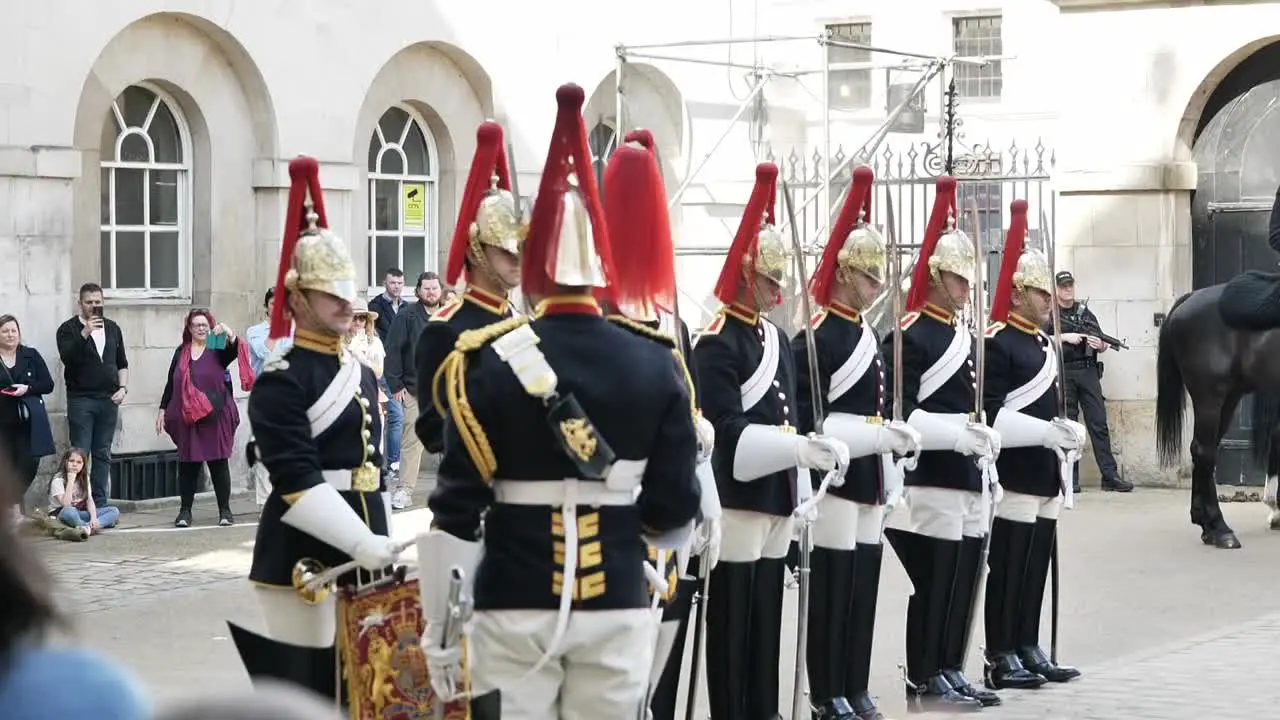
[{"x": 838, "y": 331}]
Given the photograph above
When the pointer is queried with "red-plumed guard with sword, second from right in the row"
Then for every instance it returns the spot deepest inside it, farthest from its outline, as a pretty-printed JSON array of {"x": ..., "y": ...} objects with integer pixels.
[{"x": 940, "y": 535}]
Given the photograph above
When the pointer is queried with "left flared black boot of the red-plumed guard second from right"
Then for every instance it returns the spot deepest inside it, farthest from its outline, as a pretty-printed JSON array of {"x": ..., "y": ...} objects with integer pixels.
[{"x": 931, "y": 566}]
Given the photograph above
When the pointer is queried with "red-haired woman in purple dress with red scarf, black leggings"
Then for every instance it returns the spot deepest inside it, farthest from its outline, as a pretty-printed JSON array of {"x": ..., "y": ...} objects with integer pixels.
[{"x": 199, "y": 409}]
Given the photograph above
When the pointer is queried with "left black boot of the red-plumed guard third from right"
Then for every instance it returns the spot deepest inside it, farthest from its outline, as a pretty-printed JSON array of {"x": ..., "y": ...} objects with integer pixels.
[{"x": 831, "y": 587}]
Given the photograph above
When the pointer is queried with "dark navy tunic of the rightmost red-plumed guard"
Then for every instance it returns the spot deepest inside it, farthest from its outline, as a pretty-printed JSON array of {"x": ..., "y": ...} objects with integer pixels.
[{"x": 1016, "y": 354}]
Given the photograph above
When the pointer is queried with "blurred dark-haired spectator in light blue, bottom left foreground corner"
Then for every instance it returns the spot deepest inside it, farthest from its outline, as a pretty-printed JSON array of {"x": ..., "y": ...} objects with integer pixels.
[{"x": 39, "y": 681}]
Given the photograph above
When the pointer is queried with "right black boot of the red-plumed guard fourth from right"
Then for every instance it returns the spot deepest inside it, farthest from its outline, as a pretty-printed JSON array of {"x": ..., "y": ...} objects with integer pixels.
[{"x": 766, "y": 649}]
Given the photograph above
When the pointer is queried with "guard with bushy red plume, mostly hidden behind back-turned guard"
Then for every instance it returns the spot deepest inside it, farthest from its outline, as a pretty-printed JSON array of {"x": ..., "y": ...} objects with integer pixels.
[{"x": 636, "y": 208}]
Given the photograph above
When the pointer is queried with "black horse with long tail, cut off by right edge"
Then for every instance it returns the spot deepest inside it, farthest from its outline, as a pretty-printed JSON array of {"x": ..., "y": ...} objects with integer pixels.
[{"x": 1220, "y": 344}]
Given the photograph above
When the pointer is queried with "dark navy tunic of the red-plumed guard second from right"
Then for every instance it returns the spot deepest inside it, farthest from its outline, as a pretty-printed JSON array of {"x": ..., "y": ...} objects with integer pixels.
[{"x": 926, "y": 338}]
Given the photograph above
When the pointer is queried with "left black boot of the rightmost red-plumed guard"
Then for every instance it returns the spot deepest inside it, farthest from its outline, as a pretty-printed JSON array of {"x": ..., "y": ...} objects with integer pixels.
[{"x": 1011, "y": 544}]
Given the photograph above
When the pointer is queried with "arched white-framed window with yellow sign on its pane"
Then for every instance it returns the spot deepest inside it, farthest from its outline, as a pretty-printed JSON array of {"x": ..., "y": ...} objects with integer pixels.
[{"x": 403, "y": 197}]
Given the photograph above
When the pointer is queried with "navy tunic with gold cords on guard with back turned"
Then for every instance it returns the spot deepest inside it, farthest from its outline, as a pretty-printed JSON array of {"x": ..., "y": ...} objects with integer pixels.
[{"x": 629, "y": 390}]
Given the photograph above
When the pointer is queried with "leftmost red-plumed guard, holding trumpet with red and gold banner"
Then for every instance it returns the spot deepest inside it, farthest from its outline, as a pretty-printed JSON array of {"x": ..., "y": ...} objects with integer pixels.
[{"x": 314, "y": 417}]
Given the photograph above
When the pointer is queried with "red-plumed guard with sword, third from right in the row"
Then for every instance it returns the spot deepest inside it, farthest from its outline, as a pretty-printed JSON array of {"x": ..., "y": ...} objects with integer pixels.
[{"x": 847, "y": 536}]
